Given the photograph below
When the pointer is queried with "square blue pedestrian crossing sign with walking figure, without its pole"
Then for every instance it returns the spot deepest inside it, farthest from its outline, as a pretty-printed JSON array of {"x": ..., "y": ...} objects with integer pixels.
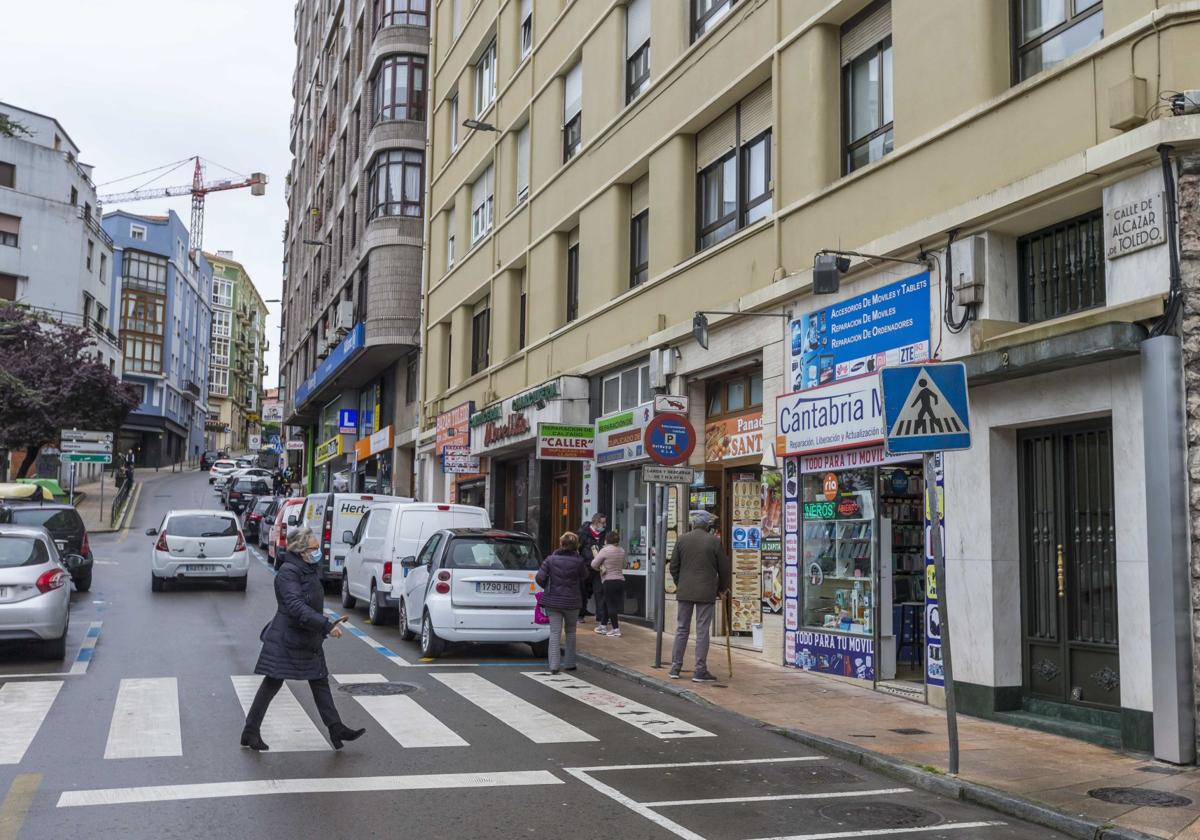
[{"x": 926, "y": 409}]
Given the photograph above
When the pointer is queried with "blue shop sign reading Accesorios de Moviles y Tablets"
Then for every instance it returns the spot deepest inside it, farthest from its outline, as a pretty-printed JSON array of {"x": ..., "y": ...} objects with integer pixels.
[{"x": 885, "y": 327}]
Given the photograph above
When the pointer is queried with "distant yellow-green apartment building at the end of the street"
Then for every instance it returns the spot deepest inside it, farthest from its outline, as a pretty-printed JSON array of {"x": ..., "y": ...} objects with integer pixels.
[{"x": 237, "y": 368}]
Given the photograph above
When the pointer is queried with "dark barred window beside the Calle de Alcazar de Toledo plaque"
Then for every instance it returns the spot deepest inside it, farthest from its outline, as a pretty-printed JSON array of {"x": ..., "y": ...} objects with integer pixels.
[{"x": 1063, "y": 268}]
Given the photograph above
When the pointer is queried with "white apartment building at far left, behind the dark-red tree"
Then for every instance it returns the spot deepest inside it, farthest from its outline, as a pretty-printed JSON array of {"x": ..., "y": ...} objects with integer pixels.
[{"x": 55, "y": 256}]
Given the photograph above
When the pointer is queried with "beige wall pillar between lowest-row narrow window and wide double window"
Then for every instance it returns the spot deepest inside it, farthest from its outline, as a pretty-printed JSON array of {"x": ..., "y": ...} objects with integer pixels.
[{"x": 673, "y": 190}]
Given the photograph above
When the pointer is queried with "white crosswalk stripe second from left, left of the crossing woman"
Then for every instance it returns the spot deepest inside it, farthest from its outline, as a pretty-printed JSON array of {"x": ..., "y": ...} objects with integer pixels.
[{"x": 146, "y": 721}]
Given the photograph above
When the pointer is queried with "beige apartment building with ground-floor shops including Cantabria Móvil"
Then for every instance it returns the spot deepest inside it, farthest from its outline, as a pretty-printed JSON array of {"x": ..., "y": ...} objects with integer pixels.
[{"x": 609, "y": 182}]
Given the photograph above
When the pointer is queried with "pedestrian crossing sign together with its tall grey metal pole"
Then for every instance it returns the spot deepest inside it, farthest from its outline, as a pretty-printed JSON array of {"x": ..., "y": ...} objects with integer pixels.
[{"x": 926, "y": 411}]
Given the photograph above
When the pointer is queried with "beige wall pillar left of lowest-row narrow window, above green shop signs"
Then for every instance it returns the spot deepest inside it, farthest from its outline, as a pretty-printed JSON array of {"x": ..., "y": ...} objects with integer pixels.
[{"x": 604, "y": 248}]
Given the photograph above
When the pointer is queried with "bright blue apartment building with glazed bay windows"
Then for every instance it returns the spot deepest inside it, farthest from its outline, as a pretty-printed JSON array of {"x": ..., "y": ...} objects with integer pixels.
[{"x": 161, "y": 291}]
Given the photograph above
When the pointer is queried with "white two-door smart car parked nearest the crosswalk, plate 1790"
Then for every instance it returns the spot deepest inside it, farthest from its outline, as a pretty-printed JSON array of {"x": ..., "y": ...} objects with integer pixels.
[{"x": 472, "y": 585}]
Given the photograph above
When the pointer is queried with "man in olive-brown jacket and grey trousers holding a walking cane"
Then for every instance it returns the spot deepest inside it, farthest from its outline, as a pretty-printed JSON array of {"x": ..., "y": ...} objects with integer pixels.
[{"x": 701, "y": 574}]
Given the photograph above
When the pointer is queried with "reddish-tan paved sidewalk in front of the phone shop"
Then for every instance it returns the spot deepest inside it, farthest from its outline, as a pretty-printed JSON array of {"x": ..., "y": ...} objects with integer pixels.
[{"x": 1017, "y": 771}]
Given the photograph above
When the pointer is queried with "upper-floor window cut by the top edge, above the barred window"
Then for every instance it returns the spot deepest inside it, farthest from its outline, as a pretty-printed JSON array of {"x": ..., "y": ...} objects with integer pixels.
[{"x": 1049, "y": 32}]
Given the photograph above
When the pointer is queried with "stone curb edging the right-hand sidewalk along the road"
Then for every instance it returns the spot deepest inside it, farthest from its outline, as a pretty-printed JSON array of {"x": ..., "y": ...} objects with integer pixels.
[{"x": 933, "y": 783}]
